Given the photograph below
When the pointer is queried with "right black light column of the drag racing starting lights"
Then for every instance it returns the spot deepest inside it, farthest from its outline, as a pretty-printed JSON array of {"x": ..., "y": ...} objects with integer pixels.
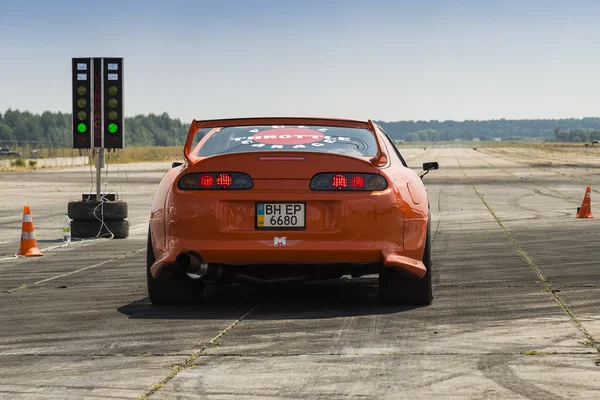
[{"x": 114, "y": 127}]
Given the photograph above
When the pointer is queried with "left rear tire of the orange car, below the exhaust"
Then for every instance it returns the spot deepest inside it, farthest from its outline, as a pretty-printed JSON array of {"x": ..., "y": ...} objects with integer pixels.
[{"x": 178, "y": 290}]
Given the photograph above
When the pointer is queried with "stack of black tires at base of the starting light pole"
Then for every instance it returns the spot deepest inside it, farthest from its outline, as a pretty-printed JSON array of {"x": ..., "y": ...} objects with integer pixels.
[{"x": 94, "y": 219}]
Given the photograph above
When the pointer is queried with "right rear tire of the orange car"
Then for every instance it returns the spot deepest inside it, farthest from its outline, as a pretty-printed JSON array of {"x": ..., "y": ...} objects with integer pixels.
[{"x": 395, "y": 288}]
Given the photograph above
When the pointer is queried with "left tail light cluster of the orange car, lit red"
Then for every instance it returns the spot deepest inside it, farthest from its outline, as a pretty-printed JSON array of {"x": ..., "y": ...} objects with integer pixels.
[{"x": 215, "y": 181}]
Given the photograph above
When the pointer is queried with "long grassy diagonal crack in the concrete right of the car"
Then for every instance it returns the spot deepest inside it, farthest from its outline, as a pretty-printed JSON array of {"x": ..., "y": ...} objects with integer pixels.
[{"x": 544, "y": 282}]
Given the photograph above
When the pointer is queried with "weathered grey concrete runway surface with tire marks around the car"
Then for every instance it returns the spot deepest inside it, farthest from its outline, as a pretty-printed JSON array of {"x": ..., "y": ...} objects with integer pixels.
[{"x": 517, "y": 286}]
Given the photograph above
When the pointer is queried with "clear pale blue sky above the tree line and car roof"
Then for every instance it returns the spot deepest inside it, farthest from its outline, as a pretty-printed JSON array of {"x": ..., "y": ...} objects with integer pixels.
[{"x": 382, "y": 59}]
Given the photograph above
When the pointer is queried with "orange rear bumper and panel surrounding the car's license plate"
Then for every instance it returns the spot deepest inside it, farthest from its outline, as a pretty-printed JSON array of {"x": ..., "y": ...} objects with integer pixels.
[{"x": 349, "y": 228}]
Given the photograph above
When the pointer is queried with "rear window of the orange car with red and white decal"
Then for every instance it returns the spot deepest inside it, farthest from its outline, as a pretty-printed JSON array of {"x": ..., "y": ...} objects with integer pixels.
[{"x": 323, "y": 139}]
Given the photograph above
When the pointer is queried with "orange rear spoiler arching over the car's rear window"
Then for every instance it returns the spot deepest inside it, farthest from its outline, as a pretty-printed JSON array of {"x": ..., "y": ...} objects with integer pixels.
[{"x": 379, "y": 159}]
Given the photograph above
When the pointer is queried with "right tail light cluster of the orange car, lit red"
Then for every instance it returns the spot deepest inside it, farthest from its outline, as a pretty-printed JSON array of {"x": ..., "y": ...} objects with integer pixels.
[{"x": 347, "y": 182}]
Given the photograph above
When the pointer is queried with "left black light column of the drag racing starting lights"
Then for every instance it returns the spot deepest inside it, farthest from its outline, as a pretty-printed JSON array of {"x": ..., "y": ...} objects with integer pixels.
[{"x": 82, "y": 103}]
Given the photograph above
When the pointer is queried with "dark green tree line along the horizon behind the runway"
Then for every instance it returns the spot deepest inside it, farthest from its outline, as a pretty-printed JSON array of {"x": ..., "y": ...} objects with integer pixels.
[{"x": 161, "y": 130}]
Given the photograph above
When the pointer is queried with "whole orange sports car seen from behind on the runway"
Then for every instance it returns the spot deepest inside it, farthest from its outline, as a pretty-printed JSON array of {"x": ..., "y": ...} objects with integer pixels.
[{"x": 264, "y": 201}]
